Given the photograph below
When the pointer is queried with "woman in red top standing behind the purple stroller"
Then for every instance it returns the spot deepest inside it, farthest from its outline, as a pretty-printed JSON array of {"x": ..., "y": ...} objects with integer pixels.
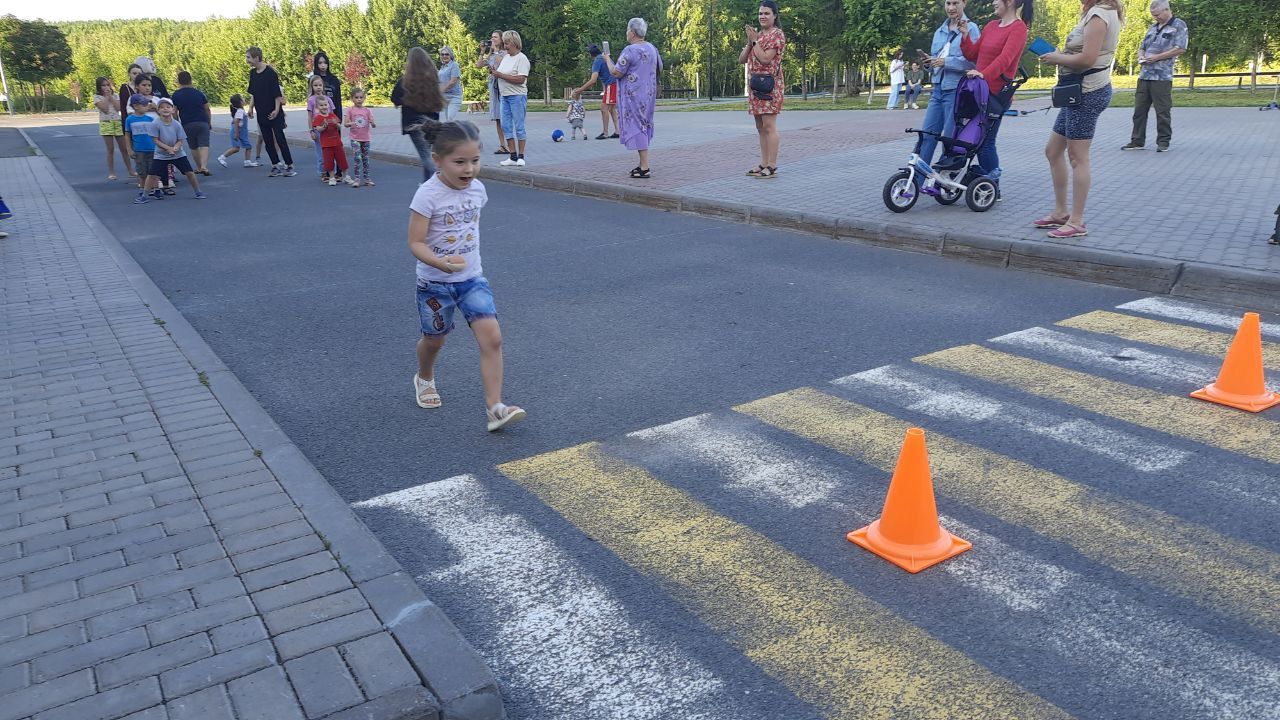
[{"x": 996, "y": 53}]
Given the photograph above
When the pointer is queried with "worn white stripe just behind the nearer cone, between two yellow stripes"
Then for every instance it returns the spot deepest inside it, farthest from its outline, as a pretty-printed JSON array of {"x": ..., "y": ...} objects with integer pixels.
[{"x": 935, "y": 397}]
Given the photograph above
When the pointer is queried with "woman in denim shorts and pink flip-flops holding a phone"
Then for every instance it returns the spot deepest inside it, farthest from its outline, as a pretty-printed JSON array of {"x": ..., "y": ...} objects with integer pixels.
[{"x": 1089, "y": 49}]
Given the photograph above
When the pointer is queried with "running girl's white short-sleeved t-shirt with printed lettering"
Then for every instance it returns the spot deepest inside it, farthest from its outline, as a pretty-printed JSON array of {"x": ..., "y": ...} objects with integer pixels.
[{"x": 455, "y": 227}]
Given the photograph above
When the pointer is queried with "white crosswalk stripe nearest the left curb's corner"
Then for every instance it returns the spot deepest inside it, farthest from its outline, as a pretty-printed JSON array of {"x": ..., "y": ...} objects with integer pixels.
[{"x": 561, "y": 639}]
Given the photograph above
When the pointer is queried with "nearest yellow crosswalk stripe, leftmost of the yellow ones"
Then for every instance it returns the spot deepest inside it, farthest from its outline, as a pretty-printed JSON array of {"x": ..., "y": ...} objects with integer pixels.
[{"x": 833, "y": 646}]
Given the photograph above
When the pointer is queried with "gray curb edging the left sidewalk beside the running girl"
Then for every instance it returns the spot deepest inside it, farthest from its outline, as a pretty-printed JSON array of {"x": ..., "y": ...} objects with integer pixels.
[{"x": 450, "y": 668}]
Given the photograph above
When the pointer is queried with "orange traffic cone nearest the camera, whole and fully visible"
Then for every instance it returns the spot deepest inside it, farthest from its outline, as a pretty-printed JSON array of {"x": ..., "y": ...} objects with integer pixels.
[{"x": 908, "y": 534}]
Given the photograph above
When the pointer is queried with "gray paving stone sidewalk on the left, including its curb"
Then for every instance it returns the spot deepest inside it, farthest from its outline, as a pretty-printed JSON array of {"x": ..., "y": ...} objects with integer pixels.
[{"x": 166, "y": 553}]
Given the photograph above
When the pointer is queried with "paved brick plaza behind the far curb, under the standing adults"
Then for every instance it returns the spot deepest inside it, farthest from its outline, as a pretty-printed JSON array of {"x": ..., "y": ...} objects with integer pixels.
[{"x": 1210, "y": 200}]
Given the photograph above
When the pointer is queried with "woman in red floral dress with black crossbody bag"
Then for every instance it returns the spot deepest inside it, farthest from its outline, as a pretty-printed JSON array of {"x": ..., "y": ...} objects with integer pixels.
[{"x": 764, "y": 56}]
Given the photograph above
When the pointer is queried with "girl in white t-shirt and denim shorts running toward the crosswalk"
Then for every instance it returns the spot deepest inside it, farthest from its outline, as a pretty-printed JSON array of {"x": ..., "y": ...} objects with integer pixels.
[{"x": 445, "y": 236}]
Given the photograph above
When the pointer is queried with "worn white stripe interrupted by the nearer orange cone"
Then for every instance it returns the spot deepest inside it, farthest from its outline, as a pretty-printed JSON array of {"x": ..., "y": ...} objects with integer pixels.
[{"x": 1133, "y": 649}]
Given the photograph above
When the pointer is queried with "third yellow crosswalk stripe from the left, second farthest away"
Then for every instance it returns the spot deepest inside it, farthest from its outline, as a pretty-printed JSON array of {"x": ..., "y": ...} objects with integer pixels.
[{"x": 1255, "y": 436}]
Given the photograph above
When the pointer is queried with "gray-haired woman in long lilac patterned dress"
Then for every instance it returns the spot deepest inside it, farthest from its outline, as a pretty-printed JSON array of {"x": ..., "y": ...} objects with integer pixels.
[{"x": 638, "y": 71}]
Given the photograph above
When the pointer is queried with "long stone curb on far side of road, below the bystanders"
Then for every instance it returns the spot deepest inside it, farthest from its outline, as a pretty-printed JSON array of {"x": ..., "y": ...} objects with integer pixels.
[{"x": 1146, "y": 274}]
